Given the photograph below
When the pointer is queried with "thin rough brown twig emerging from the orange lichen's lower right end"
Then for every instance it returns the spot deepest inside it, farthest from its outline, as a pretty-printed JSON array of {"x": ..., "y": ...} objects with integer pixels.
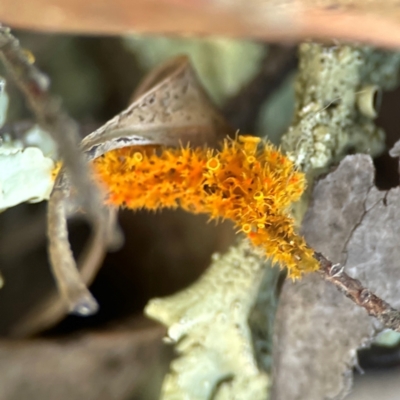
[{"x": 355, "y": 291}]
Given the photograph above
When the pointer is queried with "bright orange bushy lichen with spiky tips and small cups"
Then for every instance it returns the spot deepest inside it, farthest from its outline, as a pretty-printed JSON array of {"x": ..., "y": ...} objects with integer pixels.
[{"x": 247, "y": 181}]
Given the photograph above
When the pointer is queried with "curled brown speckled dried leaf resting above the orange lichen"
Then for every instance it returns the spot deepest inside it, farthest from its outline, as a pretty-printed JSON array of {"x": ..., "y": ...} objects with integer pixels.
[{"x": 170, "y": 107}]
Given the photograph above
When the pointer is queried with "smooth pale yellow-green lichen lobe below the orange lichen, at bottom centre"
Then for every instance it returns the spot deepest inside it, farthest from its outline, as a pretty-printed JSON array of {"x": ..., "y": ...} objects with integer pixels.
[{"x": 209, "y": 324}]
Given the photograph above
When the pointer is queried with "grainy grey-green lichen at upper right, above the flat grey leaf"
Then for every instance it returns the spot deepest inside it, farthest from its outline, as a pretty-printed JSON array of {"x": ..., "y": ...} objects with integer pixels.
[{"x": 333, "y": 88}]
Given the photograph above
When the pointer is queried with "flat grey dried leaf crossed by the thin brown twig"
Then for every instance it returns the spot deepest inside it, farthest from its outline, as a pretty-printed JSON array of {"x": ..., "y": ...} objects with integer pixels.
[{"x": 318, "y": 330}]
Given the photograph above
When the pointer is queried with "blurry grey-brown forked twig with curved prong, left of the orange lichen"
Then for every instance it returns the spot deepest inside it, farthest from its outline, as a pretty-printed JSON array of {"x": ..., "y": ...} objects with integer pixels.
[{"x": 51, "y": 116}]
